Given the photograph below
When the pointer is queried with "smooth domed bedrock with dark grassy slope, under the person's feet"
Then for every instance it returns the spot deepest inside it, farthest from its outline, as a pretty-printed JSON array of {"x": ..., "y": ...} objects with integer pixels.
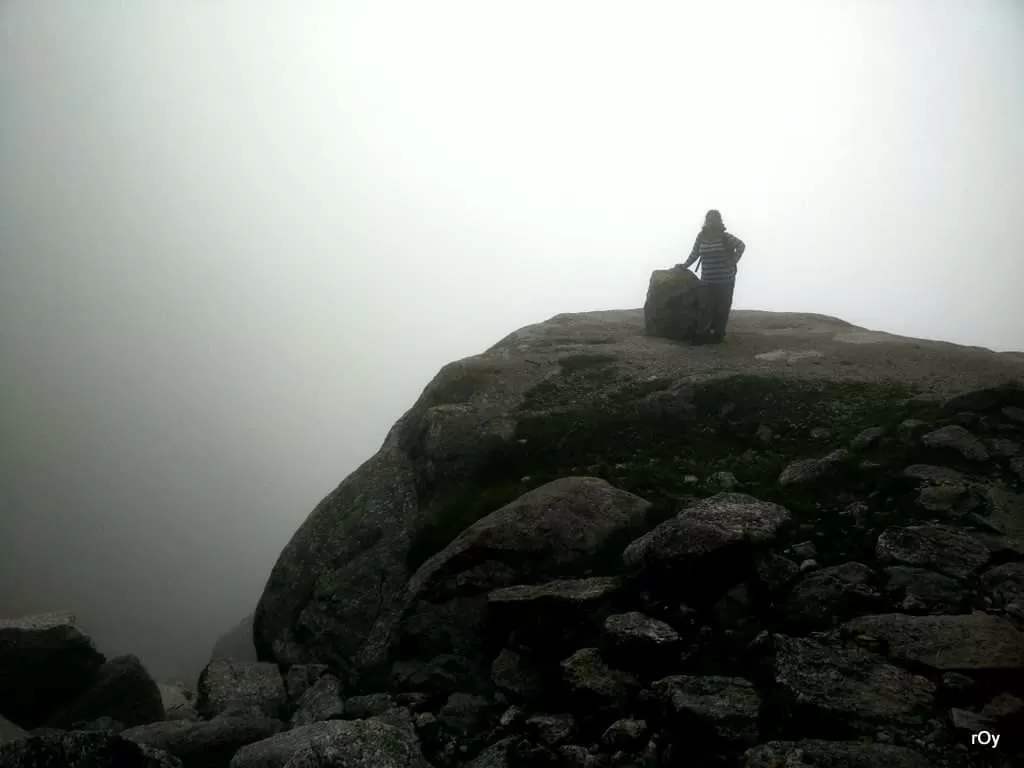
[{"x": 583, "y": 395}]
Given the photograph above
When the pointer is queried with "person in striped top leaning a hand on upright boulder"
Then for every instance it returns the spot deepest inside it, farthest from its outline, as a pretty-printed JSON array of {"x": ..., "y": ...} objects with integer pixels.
[{"x": 717, "y": 253}]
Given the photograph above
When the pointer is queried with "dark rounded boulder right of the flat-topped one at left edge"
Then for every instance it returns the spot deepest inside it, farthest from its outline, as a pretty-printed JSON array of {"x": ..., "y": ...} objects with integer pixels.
[{"x": 123, "y": 691}]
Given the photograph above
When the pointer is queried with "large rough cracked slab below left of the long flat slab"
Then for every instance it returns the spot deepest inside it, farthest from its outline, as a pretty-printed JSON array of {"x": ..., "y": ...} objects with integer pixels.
[{"x": 851, "y": 689}]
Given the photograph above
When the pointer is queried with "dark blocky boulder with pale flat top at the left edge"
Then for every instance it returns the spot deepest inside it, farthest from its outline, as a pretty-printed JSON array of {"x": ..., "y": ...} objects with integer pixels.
[{"x": 46, "y": 662}]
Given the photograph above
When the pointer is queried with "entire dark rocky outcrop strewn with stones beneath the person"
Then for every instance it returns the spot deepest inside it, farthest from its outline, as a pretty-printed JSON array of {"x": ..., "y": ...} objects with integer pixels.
[{"x": 586, "y": 542}]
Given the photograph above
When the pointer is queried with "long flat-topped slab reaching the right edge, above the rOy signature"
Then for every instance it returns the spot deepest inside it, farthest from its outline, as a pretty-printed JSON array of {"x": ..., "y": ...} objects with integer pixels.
[{"x": 968, "y": 643}]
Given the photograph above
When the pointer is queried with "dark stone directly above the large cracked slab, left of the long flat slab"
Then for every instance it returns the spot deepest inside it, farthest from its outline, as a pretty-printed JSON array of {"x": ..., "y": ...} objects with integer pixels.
[{"x": 832, "y": 594}]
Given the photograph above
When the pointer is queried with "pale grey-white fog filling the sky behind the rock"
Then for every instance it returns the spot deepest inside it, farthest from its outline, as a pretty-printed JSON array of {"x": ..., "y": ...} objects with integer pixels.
[{"x": 237, "y": 239}]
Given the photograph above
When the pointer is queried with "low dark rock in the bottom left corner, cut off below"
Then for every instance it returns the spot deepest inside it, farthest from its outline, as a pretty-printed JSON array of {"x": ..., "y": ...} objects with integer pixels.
[{"x": 83, "y": 750}]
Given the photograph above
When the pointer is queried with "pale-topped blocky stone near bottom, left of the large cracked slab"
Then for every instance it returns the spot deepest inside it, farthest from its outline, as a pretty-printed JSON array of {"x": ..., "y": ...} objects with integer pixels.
[{"x": 711, "y": 708}]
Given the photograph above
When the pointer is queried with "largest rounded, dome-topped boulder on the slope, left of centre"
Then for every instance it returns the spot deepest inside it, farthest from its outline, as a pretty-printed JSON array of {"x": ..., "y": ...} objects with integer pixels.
[{"x": 563, "y": 528}]
